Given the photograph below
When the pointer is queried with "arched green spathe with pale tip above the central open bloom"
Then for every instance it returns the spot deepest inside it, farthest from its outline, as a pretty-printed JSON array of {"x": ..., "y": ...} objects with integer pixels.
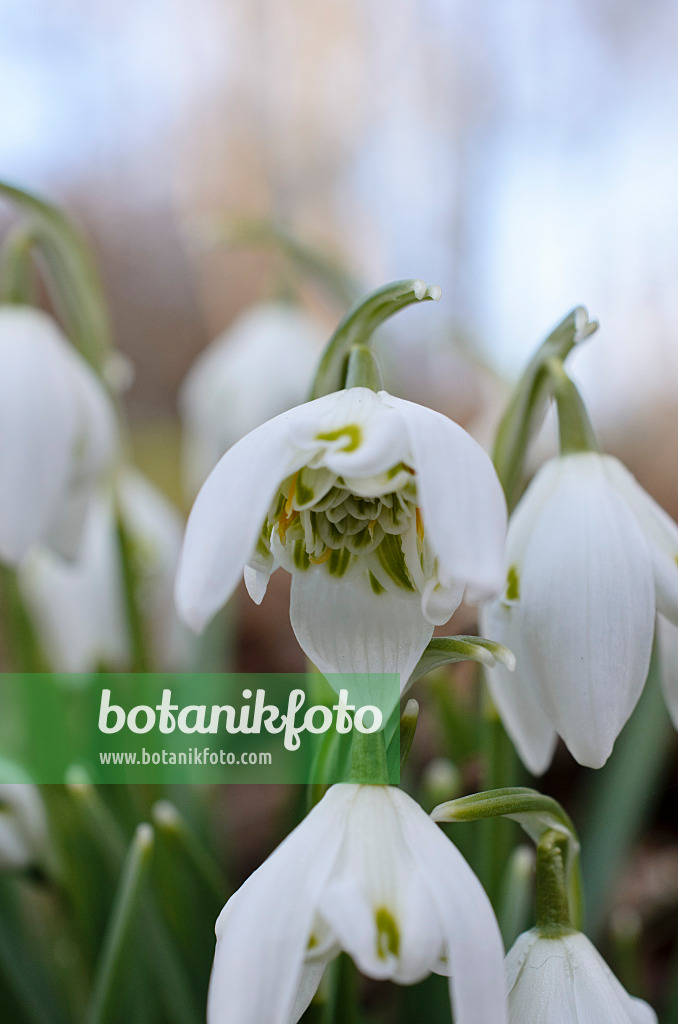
[{"x": 360, "y": 324}]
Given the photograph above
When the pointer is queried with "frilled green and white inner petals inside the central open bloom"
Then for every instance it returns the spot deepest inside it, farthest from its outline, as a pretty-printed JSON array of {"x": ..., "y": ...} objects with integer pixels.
[{"x": 320, "y": 519}]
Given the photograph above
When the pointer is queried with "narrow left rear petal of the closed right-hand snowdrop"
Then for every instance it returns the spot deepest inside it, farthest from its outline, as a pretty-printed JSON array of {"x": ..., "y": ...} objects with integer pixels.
[{"x": 515, "y": 694}]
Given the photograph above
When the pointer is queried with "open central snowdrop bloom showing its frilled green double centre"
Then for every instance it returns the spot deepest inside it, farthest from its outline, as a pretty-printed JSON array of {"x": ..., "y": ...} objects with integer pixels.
[{"x": 383, "y": 510}]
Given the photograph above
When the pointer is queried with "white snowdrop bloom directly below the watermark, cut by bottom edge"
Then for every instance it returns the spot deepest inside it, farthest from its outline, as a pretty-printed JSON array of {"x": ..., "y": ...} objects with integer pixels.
[{"x": 369, "y": 873}]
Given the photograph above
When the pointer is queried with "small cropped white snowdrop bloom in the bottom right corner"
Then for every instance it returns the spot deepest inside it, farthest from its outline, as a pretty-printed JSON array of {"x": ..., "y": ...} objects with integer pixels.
[{"x": 565, "y": 980}]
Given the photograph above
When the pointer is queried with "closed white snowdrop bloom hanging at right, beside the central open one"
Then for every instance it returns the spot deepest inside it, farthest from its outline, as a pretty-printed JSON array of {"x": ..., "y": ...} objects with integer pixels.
[{"x": 591, "y": 559}]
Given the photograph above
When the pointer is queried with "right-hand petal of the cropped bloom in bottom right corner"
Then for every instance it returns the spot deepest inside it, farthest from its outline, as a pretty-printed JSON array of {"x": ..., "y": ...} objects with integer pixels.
[{"x": 600, "y": 997}]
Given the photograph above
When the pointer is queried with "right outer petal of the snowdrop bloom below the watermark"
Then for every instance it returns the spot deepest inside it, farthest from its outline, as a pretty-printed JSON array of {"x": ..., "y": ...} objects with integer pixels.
[{"x": 474, "y": 944}]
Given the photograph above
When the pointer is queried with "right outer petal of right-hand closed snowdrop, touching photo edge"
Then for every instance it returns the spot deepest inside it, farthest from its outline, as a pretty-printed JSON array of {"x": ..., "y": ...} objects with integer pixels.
[{"x": 661, "y": 533}]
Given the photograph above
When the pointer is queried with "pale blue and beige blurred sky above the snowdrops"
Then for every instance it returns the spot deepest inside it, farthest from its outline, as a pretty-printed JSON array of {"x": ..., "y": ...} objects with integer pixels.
[{"x": 523, "y": 155}]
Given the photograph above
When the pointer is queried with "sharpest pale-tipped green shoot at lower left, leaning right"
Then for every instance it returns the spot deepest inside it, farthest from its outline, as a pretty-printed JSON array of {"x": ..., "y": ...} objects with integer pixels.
[{"x": 122, "y": 917}]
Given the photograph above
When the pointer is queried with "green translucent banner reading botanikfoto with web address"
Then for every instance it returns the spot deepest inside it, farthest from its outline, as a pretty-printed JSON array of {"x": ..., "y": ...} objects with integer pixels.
[{"x": 197, "y": 729}]
